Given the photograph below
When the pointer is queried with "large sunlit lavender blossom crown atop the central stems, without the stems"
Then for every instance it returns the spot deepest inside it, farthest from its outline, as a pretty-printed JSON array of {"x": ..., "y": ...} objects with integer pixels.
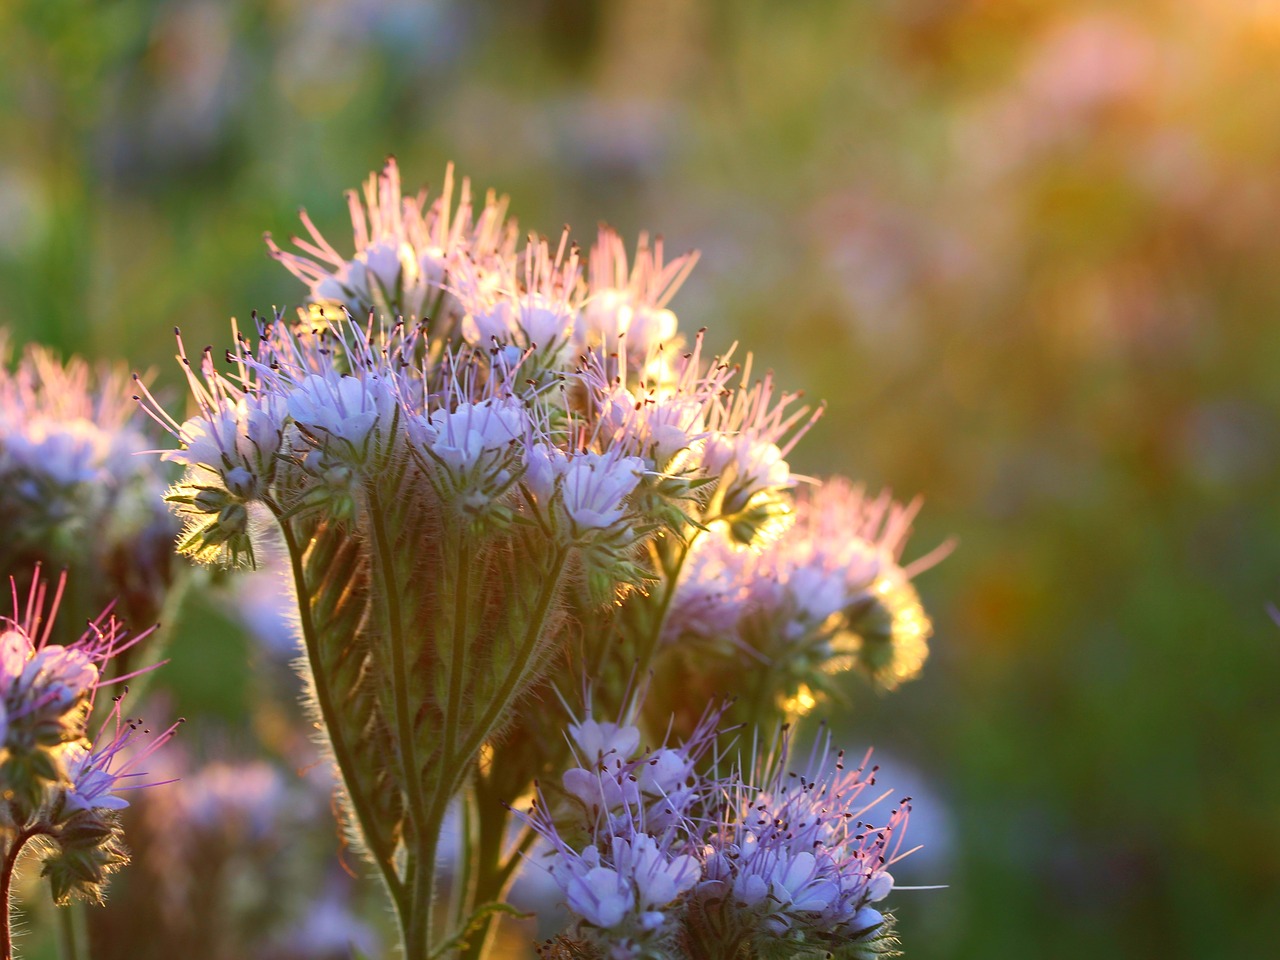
[{"x": 528, "y": 395}]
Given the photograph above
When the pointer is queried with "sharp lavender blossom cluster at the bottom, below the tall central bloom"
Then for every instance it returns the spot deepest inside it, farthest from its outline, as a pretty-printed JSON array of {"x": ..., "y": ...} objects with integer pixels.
[{"x": 656, "y": 858}]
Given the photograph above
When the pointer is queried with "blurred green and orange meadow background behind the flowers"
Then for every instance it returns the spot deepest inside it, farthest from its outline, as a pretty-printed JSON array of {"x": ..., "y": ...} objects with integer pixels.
[{"x": 1027, "y": 250}]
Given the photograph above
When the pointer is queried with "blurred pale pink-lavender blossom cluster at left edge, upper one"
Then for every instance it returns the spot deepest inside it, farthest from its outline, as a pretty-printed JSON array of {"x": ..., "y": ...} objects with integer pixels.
[{"x": 74, "y": 495}]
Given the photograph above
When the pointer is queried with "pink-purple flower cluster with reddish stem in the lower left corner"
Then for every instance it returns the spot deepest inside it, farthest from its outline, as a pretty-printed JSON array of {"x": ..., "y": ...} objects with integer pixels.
[{"x": 57, "y": 781}]
